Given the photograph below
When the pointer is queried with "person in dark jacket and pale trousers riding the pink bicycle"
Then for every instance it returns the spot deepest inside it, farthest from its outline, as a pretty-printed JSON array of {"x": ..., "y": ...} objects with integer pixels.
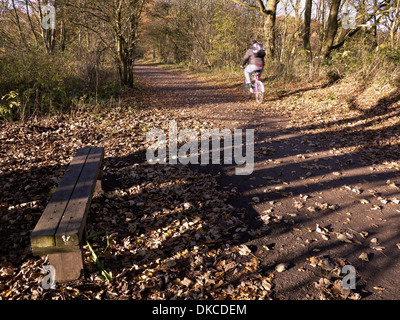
[{"x": 255, "y": 57}]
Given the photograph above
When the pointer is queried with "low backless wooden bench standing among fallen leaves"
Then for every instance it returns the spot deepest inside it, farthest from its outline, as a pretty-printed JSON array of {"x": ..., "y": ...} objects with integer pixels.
[{"x": 61, "y": 230}]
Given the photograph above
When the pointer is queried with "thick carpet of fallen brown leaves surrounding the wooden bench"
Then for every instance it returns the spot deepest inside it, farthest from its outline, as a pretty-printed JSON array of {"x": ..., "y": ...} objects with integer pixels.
[{"x": 172, "y": 233}]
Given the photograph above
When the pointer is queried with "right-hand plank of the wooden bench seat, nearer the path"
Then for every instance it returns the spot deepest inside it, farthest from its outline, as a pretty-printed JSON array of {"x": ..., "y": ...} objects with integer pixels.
[{"x": 70, "y": 230}]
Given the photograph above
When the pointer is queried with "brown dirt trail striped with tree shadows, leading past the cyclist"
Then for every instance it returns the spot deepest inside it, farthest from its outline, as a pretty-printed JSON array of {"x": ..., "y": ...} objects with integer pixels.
[{"x": 301, "y": 180}]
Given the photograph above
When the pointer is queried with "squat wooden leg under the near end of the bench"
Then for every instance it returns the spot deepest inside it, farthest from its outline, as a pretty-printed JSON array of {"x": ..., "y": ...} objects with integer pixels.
[{"x": 68, "y": 265}]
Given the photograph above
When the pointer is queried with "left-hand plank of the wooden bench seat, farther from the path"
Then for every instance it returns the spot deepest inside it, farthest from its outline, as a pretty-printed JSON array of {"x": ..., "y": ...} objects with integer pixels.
[{"x": 43, "y": 236}]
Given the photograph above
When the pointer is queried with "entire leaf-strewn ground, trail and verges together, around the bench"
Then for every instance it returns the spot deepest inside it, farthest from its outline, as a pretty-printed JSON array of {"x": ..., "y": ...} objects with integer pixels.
[{"x": 323, "y": 195}]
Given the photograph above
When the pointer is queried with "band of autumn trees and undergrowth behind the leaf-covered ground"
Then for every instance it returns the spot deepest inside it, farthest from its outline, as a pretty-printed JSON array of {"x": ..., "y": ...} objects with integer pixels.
[{"x": 89, "y": 54}]
